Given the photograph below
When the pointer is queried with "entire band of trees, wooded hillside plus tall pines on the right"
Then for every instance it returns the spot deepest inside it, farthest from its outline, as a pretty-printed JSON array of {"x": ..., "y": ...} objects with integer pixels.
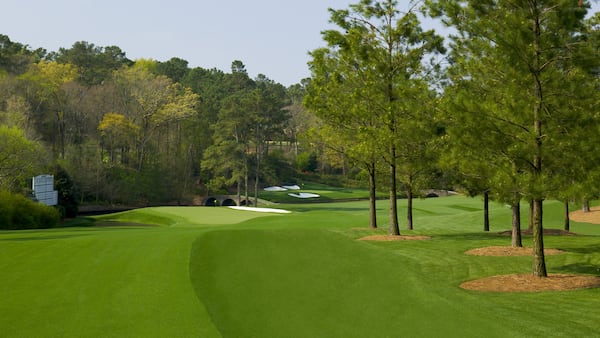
[{"x": 507, "y": 106}]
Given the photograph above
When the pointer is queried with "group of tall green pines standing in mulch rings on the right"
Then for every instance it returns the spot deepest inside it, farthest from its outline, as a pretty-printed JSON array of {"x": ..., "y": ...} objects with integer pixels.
[{"x": 512, "y": 112}]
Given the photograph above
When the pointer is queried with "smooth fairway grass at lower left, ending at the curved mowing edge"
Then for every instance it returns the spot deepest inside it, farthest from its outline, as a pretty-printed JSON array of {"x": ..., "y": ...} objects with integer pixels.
[{"x": 99, "y": 282}]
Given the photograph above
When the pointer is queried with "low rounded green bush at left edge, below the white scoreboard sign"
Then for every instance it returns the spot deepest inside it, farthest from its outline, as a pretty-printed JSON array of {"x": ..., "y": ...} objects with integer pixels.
[{"x": 17, "y": 212}]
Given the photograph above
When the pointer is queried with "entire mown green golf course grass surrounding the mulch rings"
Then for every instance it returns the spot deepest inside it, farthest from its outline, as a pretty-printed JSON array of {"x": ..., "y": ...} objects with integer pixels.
[{"x": 216, "y": 272}]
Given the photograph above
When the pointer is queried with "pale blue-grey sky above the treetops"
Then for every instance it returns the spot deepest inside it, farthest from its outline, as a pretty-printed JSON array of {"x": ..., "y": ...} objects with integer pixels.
[{"x": 271, "y": 37}]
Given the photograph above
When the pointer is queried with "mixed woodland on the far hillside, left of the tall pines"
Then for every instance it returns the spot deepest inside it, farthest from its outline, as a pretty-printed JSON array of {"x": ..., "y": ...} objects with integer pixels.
[{"x": 142, "y": 132}]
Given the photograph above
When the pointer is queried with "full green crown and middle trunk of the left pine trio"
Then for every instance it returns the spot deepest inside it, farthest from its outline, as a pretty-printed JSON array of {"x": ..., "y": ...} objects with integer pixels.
[{"x": 370, "y": 86}]
